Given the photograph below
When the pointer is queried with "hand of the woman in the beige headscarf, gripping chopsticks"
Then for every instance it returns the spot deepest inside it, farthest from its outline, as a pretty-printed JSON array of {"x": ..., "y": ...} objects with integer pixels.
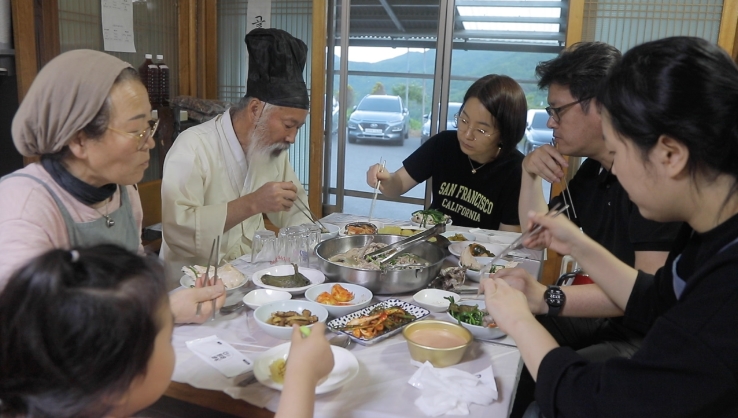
[{"x": 184, "y": 302}]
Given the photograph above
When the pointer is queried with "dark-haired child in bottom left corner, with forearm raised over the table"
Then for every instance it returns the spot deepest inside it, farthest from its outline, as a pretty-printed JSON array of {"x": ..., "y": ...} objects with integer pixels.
[{"x": 87, "y": 333}]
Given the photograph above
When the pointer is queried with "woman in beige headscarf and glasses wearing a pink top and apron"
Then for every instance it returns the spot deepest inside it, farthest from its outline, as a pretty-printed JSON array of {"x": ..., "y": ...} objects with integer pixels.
[{"x": 87, "y": 115}]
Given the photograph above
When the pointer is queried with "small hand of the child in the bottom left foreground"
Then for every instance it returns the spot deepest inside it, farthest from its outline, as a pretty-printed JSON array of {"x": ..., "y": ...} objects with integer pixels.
[{"x": 310, "y": 357}]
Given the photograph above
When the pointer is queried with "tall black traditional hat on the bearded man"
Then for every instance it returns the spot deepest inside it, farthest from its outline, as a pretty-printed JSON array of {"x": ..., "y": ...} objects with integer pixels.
[{"x": 276, "y": 62}]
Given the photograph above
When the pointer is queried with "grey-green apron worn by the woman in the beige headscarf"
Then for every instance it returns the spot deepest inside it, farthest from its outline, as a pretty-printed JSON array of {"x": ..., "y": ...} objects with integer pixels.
[{"x": 85, "y": 234}]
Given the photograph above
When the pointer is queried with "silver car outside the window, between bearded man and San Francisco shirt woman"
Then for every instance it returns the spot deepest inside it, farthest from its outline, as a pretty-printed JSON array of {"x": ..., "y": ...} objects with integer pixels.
[{"x": 379, "y": 118}]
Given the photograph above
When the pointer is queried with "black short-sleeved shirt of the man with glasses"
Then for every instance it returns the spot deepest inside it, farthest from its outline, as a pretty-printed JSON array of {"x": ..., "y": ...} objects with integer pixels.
[{"x": 606, "y": 213}]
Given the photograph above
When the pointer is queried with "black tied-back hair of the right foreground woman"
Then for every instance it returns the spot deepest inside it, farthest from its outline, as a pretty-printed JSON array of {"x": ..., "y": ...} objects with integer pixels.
[{"x": 683, "y": 87}]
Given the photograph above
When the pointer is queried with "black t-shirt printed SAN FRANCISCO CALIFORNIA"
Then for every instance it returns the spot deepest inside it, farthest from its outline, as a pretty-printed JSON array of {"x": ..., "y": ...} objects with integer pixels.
[{"x": 481, "y": 200}]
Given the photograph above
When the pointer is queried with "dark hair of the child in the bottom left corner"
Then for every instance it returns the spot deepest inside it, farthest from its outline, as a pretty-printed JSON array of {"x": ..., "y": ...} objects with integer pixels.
[{"x": 76, "y": 328}]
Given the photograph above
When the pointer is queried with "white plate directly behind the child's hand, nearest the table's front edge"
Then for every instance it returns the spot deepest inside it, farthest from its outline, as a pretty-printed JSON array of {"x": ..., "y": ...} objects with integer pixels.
[{"x": 346, "y": 368}]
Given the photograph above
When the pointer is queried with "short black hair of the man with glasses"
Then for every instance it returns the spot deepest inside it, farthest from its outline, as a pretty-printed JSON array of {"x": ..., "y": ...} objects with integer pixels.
[{"x": 583, "y": 68}]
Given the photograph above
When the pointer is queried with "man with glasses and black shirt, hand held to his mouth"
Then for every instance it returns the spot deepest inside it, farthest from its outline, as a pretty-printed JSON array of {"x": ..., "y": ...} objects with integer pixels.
[{"x": 589, "y": 321}]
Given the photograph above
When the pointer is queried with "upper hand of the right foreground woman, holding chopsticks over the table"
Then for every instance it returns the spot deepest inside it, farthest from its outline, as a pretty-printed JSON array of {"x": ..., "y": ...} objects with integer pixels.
[{"x": 557, "y": 233}]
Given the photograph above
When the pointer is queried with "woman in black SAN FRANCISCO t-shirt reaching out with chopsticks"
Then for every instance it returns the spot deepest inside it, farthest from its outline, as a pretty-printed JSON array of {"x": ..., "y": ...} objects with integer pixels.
[{"x": 476, "y": 169}]
